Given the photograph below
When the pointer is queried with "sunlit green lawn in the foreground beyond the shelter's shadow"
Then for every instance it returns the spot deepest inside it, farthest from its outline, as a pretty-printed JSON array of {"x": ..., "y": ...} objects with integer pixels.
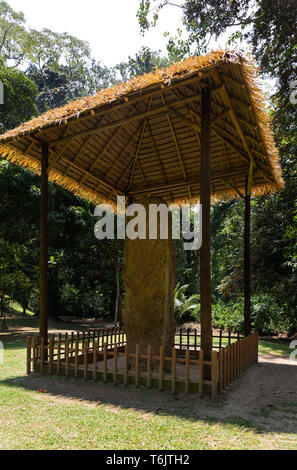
[{"x": 78, "y": 415}]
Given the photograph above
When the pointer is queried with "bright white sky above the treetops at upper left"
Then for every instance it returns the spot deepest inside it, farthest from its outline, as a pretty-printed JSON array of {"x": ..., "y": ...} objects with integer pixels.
[{"x": 110, "y": 26}]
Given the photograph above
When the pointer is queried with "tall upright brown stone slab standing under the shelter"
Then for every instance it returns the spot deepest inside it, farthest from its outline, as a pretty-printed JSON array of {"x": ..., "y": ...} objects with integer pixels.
[{"x": 150, "y": 280}]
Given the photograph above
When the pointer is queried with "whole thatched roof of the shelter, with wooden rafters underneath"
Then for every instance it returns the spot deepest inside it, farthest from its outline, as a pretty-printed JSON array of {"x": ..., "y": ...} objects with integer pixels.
[{"x": 143, "y": 137}]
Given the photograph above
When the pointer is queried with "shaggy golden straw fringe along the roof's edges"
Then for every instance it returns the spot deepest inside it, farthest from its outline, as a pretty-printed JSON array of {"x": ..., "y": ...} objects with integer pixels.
[{"x": 117, "y": 93}]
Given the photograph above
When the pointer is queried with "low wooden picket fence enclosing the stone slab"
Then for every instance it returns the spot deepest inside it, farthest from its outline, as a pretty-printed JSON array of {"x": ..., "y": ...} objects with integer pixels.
[{"x": 103, "y": 355}]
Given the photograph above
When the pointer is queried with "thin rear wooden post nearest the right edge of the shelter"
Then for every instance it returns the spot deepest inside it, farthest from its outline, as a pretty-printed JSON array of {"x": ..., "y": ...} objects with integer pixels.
[{"x": 247, "y": 262}]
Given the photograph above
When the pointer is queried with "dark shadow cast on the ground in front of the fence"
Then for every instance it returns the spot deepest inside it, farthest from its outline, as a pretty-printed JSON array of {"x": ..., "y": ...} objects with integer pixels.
[{"x": 259, "y": 419}]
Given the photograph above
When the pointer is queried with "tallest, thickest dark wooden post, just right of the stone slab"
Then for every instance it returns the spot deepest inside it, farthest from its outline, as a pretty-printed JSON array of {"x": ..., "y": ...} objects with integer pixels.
[{"x": 205, "y": 270}]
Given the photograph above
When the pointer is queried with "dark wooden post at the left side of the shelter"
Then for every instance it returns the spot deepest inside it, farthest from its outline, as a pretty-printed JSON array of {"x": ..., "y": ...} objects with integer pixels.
[{"x": 43, "y": 318}]
